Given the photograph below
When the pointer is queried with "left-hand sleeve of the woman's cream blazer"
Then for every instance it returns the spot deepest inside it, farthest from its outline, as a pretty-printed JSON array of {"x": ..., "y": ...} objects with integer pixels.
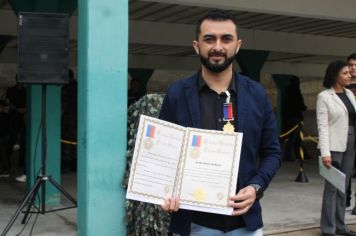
[{"x": 323, "y": 125}]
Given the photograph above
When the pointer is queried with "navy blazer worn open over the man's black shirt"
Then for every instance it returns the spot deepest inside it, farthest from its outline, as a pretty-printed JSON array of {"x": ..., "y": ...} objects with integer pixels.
[{"x": 255, "y": 119}]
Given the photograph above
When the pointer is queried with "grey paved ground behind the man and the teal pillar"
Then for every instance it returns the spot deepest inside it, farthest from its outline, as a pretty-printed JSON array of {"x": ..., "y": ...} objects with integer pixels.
[{"x": 289, "y": 207}]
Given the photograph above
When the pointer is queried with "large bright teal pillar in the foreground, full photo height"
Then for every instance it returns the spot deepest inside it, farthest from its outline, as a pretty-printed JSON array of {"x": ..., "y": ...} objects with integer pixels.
[{"x": 102, "y": 112}]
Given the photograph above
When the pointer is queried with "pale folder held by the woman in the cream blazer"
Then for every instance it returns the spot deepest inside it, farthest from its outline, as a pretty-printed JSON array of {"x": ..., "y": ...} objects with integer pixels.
[{"x": 333, "y": 175}]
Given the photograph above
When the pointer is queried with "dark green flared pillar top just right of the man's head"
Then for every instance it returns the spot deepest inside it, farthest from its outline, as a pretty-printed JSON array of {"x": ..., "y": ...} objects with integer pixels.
[{"x": 251, "y": 62}]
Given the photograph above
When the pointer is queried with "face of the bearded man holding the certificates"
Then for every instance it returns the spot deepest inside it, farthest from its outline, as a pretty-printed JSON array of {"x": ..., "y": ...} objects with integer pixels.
[{"x": 217, "y": 44}]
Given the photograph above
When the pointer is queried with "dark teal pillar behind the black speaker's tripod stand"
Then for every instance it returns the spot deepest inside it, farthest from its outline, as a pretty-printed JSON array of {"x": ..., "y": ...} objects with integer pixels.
[{"x": 34, "y": 134}]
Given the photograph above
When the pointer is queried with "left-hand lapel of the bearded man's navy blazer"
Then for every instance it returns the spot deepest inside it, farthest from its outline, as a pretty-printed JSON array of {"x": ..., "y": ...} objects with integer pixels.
[{"x": 192, "y": 96}]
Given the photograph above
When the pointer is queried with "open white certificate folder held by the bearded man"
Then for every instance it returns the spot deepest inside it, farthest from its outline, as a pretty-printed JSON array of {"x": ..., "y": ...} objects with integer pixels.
[{"x": 200, "y": 166}]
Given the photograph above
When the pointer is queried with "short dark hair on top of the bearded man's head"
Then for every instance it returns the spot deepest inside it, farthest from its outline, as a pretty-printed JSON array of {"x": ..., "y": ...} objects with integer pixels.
[{"x": 216, "y": 15}]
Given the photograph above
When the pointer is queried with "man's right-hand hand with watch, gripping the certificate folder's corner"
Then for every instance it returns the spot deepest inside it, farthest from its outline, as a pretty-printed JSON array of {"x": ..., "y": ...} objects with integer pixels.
[{"x": 243, "y": 200}]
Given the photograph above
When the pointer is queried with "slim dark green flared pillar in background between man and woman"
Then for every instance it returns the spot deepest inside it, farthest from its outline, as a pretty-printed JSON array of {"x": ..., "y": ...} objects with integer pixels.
[{"x": 282, "y": 81}]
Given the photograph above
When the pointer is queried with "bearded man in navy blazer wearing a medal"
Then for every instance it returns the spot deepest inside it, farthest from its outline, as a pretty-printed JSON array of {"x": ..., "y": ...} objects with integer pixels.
[{"x": 213, "y": 98}]
